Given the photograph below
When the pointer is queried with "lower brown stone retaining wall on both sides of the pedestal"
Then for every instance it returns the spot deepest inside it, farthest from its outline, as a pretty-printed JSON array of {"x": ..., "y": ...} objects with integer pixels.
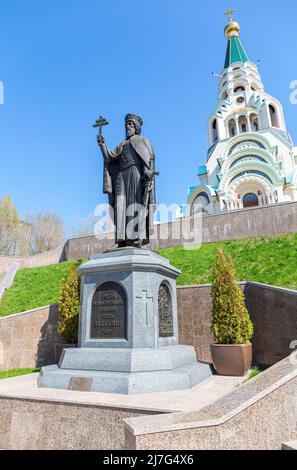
[{"x": 28, "y": 339}]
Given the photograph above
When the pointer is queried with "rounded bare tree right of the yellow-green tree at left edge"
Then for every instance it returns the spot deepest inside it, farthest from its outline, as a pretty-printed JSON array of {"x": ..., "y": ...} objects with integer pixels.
[{"x": 47, "y": 232}]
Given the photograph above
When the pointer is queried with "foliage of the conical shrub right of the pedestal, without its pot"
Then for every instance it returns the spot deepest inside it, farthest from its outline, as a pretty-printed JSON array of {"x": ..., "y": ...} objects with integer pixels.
[{"x": 231, "y": 322}]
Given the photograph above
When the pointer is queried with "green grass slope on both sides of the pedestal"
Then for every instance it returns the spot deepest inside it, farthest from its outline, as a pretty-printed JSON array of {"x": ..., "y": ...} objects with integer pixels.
[{"x": 270, "y": 260}]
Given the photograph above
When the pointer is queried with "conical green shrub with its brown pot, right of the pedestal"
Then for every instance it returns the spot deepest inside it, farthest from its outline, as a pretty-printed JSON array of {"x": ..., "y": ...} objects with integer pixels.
[{"x": 231, "y": 324}]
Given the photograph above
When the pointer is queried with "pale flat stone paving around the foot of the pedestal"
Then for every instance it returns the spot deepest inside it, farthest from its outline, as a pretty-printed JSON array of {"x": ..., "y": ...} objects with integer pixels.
[{"x": 198, "y": 397}]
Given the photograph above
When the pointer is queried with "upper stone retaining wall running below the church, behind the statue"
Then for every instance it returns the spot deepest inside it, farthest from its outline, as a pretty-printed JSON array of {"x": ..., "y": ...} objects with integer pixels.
[{"x": 245, "y": 223}]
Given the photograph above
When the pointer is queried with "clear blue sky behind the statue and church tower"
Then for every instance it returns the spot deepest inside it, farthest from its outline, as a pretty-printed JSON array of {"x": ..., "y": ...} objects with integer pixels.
[{"x": 64, "y": 62}]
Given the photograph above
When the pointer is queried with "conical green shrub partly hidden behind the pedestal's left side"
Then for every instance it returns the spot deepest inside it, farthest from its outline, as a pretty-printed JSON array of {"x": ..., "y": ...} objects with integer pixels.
[{"x": 69, "y": 305}]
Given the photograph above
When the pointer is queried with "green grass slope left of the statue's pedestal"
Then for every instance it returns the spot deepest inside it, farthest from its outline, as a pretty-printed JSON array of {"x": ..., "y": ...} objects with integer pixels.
[{"x": 34, "y": 287}]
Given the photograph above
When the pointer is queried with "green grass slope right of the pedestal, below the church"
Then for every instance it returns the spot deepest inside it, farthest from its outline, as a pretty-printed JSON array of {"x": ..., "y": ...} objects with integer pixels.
[{"x": 270, "y": 260}]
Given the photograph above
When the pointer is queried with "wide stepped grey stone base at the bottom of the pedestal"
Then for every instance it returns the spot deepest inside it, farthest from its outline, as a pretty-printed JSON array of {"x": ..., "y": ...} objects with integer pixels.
[{"x": 126, "y": 371}]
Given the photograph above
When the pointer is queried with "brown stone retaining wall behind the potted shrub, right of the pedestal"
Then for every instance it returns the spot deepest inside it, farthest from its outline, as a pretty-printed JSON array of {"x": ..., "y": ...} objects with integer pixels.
[{"x": 273, "y": 312}]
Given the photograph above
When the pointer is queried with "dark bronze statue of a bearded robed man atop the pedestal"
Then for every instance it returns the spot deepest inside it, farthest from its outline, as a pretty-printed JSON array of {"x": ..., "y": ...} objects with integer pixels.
[{"x": 129, "y": 181}]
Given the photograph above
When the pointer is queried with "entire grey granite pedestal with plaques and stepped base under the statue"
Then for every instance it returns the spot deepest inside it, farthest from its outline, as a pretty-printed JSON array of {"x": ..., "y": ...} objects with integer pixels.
[{"x": 128, "y": 330}]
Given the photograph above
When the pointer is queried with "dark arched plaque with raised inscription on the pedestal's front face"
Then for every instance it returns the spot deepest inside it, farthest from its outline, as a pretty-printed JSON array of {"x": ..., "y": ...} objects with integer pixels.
[{"x": 108, "y": 316}]
